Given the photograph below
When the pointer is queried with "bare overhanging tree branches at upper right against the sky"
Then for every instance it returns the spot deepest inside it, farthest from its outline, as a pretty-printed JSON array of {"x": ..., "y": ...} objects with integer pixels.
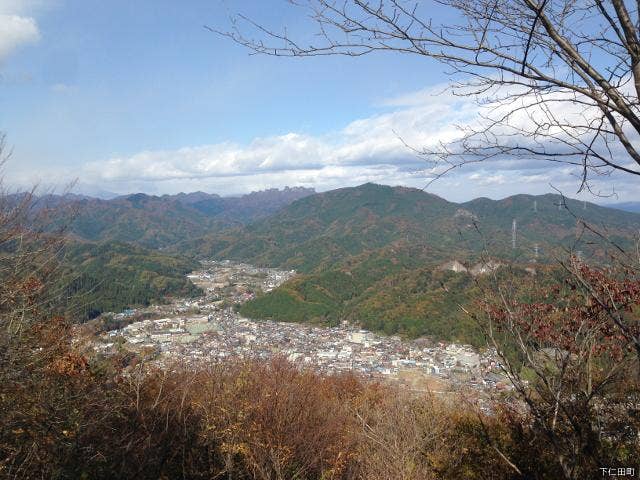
[{"x": 556, "y": 80}]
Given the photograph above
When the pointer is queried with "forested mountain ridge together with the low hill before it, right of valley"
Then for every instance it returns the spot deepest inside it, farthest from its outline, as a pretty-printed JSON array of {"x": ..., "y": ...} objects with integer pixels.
[{"x": 372, "y": 254}]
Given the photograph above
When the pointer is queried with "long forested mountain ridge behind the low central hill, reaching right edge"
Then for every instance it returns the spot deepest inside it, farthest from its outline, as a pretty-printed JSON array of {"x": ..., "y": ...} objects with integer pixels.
[{"x": 320, "y": 230}]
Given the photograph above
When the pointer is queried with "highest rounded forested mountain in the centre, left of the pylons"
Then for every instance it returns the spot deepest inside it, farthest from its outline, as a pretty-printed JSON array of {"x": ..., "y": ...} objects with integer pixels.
[{"x": 322, "y": 229}]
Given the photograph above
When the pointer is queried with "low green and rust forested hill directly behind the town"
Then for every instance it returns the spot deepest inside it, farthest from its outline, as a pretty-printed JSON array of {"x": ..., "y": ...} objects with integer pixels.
[{"x": 396, "y": 290}]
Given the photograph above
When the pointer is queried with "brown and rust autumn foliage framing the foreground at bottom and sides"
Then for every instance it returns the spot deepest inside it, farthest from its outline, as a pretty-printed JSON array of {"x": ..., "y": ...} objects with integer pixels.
[{"x": 569, "y": 348}]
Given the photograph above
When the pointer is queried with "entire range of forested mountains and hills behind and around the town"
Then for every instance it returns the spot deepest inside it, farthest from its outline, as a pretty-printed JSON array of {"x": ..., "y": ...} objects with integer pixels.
[{"x": 382, "y": 257}]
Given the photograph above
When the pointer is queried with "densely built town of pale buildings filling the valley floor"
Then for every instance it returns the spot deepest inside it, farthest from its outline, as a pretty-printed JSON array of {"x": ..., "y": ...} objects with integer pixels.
[{"x": 210, "y": 328}]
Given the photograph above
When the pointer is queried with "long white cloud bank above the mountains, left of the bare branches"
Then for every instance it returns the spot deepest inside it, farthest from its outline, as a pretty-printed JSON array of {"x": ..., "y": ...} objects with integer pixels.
[{"x": 368, "y": 149}]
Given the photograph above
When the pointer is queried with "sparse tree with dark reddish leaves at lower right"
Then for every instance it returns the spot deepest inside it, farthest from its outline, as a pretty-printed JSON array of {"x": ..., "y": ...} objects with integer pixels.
[{"x": 569, "y": 349}]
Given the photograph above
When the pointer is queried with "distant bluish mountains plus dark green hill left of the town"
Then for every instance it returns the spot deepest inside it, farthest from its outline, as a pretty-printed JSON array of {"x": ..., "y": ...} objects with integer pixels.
[{"x": 116, "y": 255}]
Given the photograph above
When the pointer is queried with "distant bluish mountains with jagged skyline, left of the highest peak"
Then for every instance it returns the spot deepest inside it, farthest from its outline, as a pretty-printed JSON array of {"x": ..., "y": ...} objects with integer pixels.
[{"x": 159, "y": 222}]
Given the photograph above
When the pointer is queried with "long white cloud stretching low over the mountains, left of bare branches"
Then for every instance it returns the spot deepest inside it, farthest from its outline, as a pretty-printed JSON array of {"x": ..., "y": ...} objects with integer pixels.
[{"x": 363, "y": 145}]
